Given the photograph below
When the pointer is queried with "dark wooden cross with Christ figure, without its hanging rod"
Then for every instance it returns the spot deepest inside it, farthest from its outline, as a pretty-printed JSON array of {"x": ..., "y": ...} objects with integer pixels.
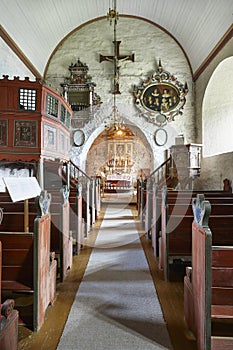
[{"x": 115, "y": 59}]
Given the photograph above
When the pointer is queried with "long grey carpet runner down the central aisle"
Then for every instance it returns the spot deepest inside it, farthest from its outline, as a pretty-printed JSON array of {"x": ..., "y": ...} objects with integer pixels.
[{"x": 116, "y": 306}]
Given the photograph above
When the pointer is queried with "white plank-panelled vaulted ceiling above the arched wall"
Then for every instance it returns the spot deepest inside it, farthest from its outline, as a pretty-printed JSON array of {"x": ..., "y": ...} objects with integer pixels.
[{"x": 37, "y": 26}]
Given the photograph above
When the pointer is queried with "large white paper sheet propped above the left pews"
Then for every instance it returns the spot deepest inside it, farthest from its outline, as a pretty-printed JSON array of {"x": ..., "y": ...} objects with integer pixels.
[{"x": 21, "y": 188}]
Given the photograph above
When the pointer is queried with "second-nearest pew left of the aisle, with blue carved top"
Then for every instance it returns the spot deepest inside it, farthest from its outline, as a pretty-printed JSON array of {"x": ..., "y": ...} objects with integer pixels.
[{"x": 61, "y": 235}]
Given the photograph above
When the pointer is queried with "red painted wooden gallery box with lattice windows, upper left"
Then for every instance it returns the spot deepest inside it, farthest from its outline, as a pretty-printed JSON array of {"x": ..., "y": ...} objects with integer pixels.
[{"x": 37, "y": 125}]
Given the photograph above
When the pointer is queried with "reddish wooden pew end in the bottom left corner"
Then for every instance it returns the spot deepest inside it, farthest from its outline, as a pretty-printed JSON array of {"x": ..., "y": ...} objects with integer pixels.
[{"x": 8, "y": 319}]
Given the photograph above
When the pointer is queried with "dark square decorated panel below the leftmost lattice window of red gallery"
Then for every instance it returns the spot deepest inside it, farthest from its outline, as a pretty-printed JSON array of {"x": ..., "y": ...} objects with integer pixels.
[{"x": 25, "y": 134}]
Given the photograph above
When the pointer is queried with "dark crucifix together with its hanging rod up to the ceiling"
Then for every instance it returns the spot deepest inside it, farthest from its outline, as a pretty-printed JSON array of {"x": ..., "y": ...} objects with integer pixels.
[{"x": 116, "y": 58}]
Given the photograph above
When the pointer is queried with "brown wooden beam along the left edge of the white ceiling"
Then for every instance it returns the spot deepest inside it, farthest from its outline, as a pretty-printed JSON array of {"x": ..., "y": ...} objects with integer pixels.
[{"x": 14, "y": 47}]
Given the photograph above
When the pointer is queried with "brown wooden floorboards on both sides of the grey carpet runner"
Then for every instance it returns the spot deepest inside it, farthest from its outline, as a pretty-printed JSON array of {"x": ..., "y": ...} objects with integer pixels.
[{"x": 170, "y": 295}]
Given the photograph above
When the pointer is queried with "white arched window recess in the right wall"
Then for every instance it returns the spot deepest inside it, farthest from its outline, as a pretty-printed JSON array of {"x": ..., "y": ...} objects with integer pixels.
[{"x": 217, "y": 112}]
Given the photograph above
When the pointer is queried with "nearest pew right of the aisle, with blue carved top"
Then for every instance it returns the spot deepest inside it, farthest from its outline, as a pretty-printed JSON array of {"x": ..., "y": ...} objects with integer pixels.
[{"x": 209, "y": 286}]
